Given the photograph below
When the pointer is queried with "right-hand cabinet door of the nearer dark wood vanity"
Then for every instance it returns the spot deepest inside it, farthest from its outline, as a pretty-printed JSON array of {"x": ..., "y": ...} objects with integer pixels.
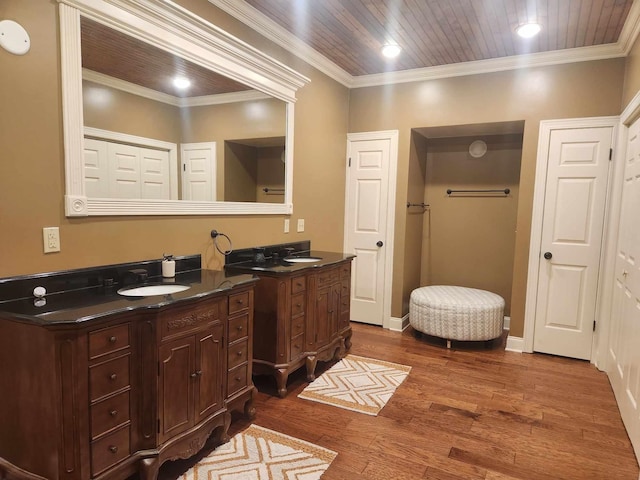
[{"x": 210, "y": 366}]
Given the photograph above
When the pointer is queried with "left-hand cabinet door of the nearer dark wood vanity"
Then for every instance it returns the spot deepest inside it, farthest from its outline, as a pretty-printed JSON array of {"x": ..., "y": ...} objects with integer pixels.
[{"x": 175, "y": 386}]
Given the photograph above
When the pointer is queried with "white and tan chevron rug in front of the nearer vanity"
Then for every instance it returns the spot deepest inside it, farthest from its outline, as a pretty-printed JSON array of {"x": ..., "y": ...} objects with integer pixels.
[{"x": 261, "y": 454}]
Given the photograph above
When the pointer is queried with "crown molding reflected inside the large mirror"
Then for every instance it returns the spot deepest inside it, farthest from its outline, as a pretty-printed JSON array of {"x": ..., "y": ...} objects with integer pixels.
[{"x": 134, "y": 89}]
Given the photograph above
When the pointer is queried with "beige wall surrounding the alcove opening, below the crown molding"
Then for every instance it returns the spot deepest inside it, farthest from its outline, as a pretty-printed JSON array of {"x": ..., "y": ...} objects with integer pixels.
[{"x": 564, "y": 91}]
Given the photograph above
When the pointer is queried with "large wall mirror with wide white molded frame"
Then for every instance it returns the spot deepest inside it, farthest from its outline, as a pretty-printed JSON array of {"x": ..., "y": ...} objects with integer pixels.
[{"x": 137, "y": 142}]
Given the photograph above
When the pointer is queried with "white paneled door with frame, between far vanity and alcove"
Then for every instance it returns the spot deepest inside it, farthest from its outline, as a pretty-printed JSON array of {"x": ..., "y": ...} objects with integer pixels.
[{"x": 368, "y": 222}]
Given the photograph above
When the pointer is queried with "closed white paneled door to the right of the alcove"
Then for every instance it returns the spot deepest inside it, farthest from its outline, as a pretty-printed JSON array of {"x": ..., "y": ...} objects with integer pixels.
[{"x": 572, "y": 229}]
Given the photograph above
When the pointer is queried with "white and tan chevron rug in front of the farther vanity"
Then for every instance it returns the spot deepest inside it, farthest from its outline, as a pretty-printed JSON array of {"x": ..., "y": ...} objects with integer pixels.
[{"x": 361, "y": 384}]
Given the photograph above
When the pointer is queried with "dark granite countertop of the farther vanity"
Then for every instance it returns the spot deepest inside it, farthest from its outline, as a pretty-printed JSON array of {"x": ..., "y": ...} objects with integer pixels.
[{"x": 281, "y": 266}]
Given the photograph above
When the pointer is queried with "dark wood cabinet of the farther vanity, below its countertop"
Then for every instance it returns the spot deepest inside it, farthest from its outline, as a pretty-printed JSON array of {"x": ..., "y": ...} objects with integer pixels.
[{"x": 301, "y": 318}]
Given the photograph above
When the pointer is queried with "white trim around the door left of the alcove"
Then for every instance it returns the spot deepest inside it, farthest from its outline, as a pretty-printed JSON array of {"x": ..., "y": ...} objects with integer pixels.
[{"x": 392, "y": 136}]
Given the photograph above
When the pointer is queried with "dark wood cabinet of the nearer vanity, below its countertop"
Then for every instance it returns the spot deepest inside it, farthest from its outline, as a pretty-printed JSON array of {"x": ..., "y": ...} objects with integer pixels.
[{"x": 110, "y": 397}]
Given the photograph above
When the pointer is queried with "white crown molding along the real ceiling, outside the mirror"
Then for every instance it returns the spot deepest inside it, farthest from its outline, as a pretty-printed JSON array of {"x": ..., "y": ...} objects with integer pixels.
[{"x": 259, "y": 22}]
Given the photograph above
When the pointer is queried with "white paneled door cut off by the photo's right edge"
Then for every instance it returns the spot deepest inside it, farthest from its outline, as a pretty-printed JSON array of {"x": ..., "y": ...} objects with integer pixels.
[{"x": 623, "y": 364}]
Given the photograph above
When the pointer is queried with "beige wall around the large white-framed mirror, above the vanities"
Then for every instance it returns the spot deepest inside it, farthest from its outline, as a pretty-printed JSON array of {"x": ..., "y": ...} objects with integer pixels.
[{"x": 32, "y": 167}]
